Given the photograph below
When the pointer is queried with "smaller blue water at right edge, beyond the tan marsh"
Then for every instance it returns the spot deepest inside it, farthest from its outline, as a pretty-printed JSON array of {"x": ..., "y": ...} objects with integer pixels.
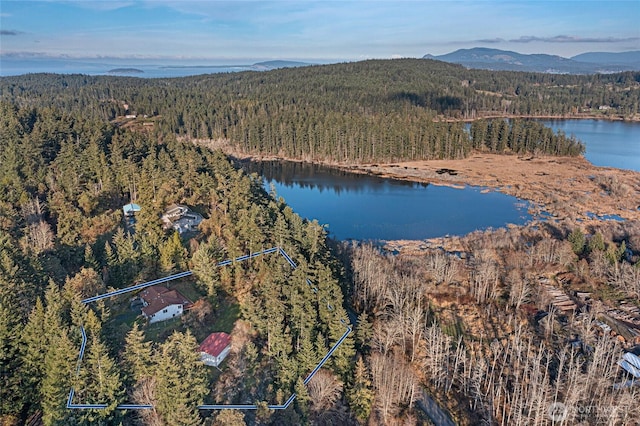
[{"x": 608, "y": 143}]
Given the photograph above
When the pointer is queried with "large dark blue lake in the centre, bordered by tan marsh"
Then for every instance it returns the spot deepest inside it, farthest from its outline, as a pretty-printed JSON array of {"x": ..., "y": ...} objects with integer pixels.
[{"x": 368, "y": 208}]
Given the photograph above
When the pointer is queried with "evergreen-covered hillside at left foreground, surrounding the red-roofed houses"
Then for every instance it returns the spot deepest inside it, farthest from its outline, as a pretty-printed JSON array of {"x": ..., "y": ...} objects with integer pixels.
[{"x": 65, "y": 180}]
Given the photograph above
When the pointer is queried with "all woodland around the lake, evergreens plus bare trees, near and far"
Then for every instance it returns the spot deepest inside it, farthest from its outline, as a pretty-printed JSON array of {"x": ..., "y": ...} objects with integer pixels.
[{"x": 474, "y": 331}]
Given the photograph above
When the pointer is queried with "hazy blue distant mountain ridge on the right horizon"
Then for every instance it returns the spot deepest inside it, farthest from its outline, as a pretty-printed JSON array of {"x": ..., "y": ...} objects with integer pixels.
[{"x": 504, "y": 60}]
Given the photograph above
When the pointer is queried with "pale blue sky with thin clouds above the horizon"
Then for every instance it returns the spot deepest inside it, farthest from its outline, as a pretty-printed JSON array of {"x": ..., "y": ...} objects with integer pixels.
[{"x": 311, "y": 30}]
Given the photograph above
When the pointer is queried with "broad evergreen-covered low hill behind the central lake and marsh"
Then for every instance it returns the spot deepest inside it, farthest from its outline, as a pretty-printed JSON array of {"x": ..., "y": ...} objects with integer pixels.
[{"x": 354, "y": 112}]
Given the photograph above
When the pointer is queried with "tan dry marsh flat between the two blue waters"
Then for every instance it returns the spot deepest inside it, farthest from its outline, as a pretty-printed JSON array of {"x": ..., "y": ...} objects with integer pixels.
[{"x": 566, "y": 189}]
